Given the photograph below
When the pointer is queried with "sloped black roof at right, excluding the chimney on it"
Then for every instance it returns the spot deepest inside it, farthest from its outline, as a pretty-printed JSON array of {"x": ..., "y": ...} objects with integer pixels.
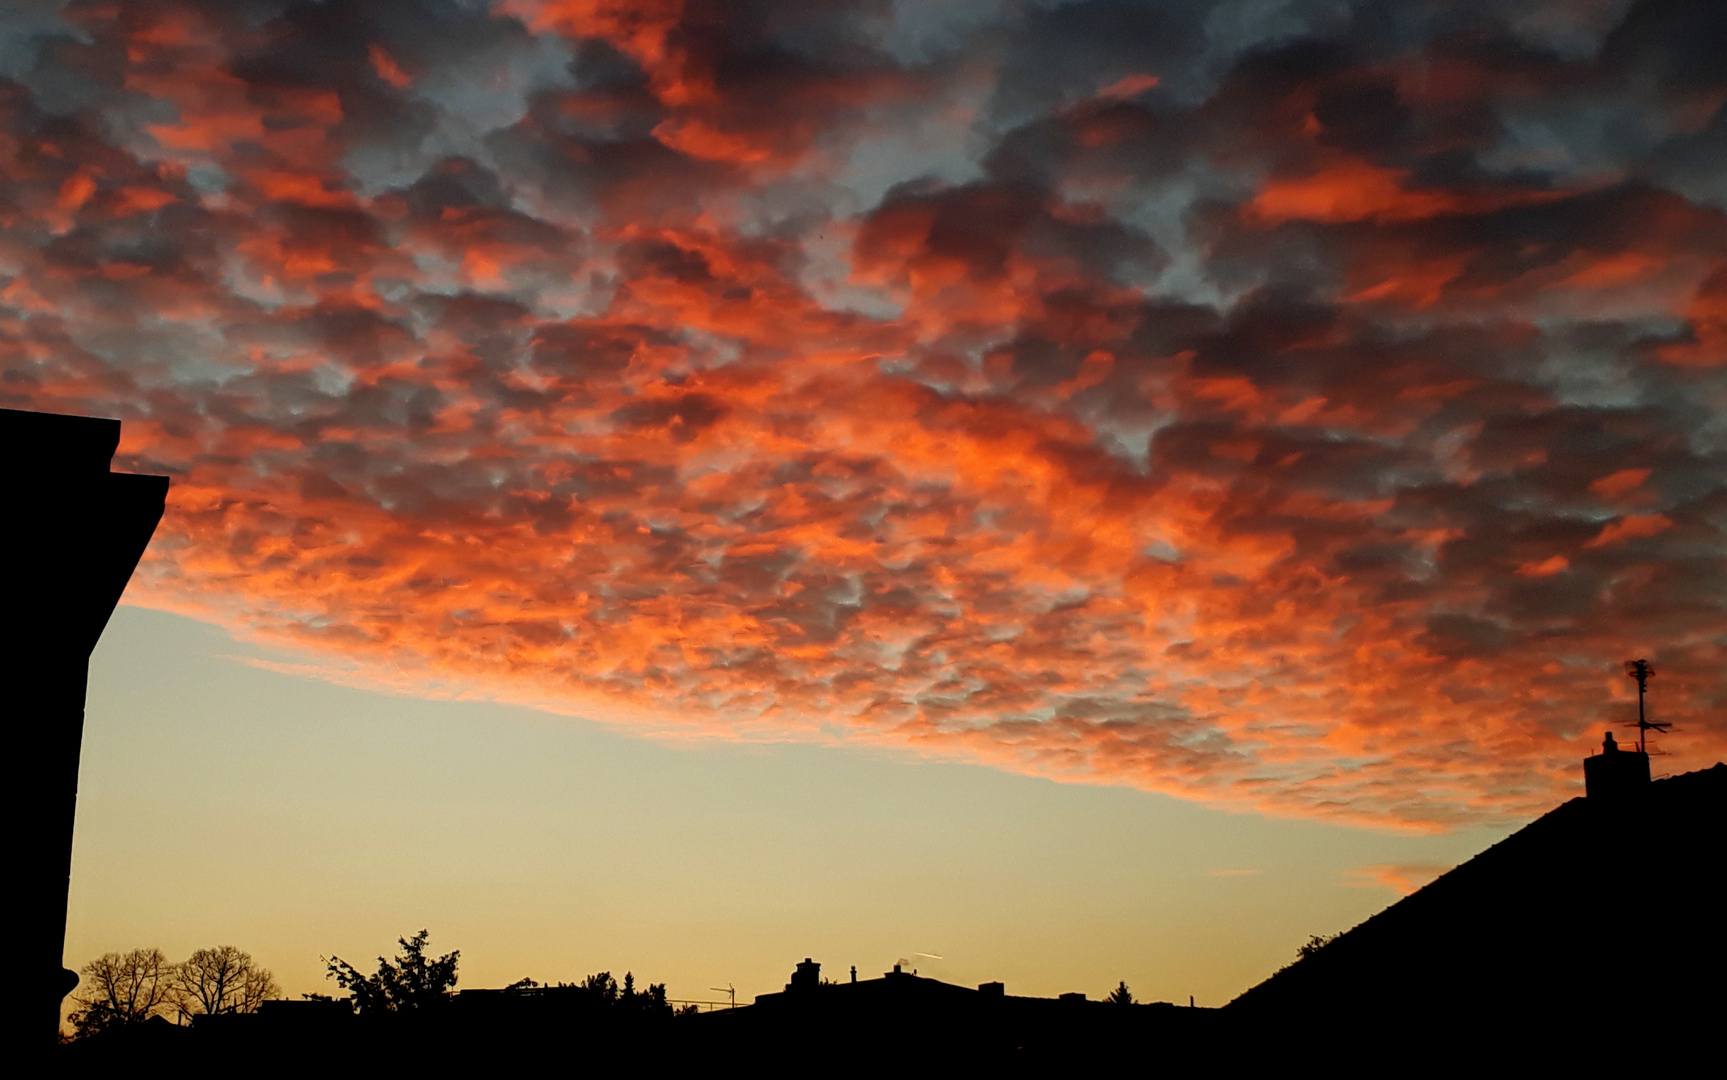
[{"x": 1595, "y": 903}]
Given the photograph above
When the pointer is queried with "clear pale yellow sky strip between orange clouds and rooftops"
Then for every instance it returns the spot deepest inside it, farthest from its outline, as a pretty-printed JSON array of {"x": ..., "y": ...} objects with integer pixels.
[{"x": 225, "y": 803}]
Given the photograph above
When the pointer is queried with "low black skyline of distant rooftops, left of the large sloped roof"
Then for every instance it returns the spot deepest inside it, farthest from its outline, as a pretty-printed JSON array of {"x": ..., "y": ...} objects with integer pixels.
[{"x": 901, "y": 1022}]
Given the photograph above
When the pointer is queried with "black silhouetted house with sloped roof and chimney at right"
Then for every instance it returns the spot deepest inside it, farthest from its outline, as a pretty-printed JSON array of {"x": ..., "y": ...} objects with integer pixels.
[{"x": 1602, "y": 912}]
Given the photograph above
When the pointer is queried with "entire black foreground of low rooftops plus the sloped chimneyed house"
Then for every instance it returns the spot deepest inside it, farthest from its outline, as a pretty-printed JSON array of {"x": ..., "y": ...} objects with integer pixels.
[{"x": 1593, "y": 936}]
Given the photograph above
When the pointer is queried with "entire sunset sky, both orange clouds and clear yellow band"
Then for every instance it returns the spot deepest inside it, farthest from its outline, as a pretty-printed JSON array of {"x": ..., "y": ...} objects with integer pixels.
[{"x": 1084, "y": 492}]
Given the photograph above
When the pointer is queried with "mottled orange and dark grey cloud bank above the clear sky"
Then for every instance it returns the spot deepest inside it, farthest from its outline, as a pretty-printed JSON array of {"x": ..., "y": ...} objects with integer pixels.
[{"x": 1284, "y": 405}]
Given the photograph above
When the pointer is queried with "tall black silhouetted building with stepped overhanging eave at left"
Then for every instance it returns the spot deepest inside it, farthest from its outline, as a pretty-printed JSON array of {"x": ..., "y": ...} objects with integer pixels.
[{"x": 72, "y": 540}]
